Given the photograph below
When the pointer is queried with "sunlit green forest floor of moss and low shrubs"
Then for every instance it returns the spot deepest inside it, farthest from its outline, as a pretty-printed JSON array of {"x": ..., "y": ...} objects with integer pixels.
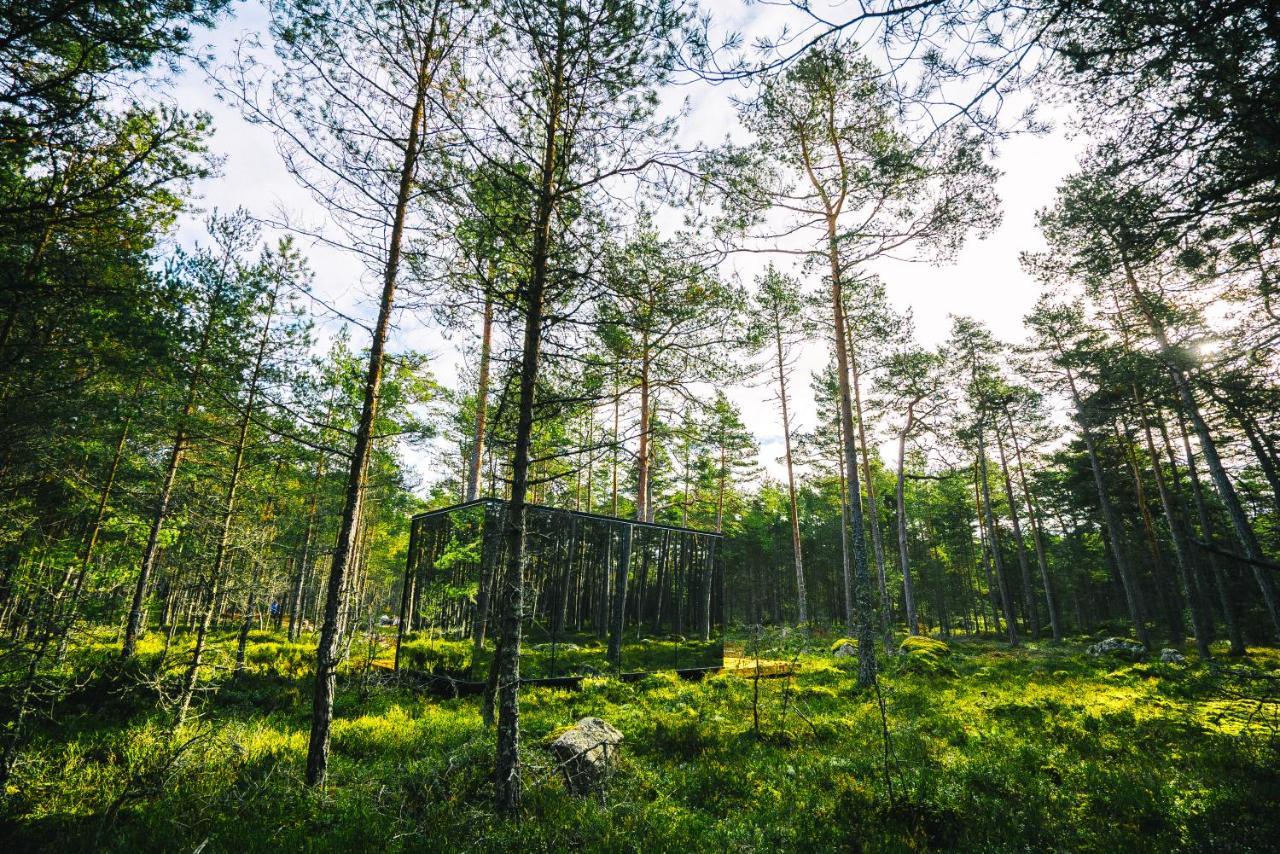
[{"x": 991, "y": 750}]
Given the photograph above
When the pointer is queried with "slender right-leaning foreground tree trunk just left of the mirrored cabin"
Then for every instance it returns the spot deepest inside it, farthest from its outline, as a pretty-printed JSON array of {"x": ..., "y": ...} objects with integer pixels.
[{"x": 349, "y": 533}]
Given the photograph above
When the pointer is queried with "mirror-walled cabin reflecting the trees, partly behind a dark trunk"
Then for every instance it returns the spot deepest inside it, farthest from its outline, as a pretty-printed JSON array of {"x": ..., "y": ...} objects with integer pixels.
[{"x": 602, "y": 593}]
